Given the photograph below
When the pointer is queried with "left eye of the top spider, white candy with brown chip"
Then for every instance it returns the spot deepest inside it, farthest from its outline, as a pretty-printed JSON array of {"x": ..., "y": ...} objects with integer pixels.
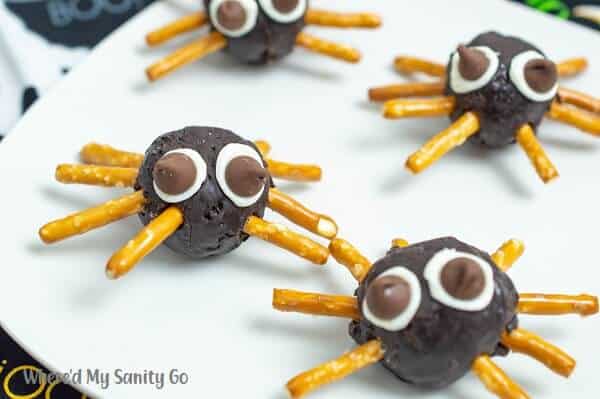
[{"x": 233, "y": 18}]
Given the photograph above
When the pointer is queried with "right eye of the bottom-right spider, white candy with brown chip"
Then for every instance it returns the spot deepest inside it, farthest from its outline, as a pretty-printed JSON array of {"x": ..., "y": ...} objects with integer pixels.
[{"x": 460, "y": 280}]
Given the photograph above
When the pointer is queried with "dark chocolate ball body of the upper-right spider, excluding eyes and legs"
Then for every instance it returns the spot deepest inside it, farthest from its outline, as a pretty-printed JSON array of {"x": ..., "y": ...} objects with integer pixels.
[{"x": 501, "y": 108}]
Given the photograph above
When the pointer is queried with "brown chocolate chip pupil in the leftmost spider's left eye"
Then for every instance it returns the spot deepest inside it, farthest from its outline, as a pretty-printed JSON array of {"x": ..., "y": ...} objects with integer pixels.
[{"x": 174, "y": 173}]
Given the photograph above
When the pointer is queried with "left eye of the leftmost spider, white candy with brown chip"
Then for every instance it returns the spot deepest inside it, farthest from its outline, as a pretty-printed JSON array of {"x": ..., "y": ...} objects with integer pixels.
[{"x": 178, "y": 175}]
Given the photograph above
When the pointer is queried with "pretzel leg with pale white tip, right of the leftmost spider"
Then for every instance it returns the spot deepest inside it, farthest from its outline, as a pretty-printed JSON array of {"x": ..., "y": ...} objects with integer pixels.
[{"x": 294, "y": 211}]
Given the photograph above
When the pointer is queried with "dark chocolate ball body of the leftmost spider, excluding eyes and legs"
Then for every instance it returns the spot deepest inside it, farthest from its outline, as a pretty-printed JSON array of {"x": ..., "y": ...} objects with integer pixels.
[{"x": 213, "y": 224}]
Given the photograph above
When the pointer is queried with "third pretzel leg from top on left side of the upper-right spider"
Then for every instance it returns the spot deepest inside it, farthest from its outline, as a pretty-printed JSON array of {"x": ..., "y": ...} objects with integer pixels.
[{"x": 405, "y": 108}]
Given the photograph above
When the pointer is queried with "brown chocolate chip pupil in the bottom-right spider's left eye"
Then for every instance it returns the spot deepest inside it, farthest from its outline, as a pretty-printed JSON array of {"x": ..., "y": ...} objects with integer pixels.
[{"x": 388, "y": 296}]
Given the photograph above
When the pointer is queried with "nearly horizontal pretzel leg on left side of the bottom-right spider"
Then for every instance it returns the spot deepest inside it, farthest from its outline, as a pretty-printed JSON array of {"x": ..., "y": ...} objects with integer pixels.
[{"x": 316, "y": 304}]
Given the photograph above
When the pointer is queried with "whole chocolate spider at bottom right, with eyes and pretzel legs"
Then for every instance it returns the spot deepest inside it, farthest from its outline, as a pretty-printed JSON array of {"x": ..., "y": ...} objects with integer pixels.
[{"x": 431, "y": 312}]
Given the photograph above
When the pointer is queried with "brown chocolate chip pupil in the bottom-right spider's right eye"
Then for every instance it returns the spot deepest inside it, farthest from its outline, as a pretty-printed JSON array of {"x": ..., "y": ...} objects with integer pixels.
[{"x": 463, "y": 278}]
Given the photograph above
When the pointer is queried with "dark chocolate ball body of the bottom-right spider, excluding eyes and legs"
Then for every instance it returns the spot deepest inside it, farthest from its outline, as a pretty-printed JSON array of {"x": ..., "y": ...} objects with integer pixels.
[{"x": 439, "y": 345}]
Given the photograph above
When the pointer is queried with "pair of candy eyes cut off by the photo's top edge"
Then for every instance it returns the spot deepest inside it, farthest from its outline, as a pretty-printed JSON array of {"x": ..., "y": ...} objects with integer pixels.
[{"x": 235, "y": 18}]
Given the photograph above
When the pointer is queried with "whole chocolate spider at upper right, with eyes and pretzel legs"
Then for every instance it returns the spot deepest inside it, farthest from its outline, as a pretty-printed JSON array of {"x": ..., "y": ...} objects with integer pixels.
[{"x": 496, "y": 90}]
